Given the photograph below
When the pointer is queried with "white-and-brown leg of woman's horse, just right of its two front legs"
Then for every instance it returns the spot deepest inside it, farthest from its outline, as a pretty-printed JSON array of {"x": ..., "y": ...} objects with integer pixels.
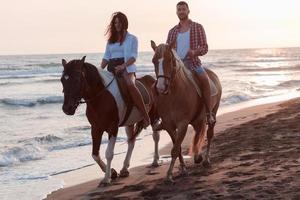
[{"x": 131, "y": 142}]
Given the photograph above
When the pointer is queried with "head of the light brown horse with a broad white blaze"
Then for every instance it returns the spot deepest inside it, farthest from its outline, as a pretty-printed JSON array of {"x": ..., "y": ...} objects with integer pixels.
[{"x": 165, "y": 66}]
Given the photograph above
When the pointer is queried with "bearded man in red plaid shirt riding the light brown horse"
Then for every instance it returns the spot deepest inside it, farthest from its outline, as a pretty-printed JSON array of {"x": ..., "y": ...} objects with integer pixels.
[{"x": 189, "y": 40}]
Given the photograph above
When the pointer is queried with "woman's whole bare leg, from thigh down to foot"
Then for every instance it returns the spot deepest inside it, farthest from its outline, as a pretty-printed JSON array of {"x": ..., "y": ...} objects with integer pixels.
[{"x": 136, "y": 96}]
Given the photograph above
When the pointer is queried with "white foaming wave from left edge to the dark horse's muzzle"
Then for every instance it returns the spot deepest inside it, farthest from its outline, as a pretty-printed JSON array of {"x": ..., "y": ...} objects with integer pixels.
[{"x": 32, "y": 102}]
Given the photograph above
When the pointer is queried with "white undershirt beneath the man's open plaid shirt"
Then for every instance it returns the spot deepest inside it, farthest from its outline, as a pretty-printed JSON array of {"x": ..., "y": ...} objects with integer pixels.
[{"x": 183, "y": 44}]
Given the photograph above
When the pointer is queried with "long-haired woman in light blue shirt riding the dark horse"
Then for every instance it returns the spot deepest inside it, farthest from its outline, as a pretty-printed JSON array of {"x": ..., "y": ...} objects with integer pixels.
[{"x": 120, "y": 56}]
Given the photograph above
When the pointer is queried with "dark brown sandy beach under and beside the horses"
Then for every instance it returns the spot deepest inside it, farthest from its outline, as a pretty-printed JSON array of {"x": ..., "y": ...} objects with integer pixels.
[{"x": 255, "y": 155}]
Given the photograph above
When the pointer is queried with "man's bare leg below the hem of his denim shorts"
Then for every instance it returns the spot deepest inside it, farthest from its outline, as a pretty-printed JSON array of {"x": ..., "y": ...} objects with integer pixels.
[{"x": 205, "y": 88}]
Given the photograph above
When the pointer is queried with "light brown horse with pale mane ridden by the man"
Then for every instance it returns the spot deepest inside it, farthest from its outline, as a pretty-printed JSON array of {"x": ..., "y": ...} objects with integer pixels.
[{"x": 179, "y": 104}]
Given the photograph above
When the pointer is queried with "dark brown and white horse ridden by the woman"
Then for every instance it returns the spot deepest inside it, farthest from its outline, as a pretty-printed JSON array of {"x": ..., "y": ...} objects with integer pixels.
[{"x": 82, "y": 80}]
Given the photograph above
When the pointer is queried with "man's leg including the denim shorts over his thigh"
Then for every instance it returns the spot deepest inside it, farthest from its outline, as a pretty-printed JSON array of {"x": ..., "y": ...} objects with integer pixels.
[{"x": 205, "y": 88}]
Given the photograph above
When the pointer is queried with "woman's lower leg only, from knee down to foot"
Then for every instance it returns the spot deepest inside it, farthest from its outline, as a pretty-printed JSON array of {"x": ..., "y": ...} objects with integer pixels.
[{"x": 139, "y": 102}]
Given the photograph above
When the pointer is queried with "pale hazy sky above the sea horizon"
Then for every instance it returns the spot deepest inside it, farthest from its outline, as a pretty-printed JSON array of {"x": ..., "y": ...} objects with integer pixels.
[{"x": 76, "y": 26}]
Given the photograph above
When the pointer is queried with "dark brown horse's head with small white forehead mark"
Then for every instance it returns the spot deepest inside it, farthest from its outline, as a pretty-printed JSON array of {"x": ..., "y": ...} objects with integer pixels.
[{"x": 72, "y": 81}]
